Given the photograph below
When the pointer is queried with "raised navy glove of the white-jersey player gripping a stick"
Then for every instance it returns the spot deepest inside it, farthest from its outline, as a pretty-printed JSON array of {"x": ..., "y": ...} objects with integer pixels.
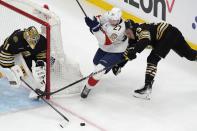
[{"x": 93, "y": 24}]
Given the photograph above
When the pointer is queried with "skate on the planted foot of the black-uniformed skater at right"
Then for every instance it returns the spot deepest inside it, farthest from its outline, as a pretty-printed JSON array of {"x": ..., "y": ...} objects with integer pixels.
[{"x": 145, "y": 92}]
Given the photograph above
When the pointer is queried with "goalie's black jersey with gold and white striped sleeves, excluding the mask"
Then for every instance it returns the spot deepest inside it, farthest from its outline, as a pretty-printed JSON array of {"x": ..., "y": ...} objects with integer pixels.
[{"x": 16, "y": 44}]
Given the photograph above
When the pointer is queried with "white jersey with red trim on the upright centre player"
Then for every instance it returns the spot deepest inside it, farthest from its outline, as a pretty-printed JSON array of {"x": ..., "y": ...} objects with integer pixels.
[{"x": 111, "y": 38}]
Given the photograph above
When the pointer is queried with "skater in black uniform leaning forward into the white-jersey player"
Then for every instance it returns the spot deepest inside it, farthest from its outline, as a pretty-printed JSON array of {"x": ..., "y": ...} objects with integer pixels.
[{"x": 162, "y": 37}]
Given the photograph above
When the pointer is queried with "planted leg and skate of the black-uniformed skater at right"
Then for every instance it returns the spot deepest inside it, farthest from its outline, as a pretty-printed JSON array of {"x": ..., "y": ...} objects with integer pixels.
[{"x": 161, "y": 49}]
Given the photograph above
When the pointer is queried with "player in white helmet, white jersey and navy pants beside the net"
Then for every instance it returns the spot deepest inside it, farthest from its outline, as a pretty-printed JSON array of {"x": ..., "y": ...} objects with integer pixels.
[{"x": 109, "y": 30}]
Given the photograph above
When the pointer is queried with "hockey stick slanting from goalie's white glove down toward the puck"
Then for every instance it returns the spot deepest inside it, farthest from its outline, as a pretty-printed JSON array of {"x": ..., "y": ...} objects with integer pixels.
[{"x": 65, "y": 118}]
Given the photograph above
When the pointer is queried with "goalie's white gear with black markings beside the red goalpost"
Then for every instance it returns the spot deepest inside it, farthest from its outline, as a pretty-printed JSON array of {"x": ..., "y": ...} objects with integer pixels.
[{"x": 39, "y": 74}]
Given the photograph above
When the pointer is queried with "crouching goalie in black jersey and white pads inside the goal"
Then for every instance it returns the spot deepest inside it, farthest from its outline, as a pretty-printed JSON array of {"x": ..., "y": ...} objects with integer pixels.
[{"x": 32, "y": 46}]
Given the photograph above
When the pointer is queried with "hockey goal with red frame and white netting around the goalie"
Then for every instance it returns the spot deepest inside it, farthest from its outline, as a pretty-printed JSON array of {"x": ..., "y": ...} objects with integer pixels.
[{"x": 20, "y": 14}]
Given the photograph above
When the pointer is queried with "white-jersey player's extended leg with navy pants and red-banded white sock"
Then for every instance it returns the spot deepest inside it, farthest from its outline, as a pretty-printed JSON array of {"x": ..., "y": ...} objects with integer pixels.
[{"x": 108, "y": 60}]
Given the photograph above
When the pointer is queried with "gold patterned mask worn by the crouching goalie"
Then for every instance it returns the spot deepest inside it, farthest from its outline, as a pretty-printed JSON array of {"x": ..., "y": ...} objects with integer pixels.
[{"x": 32, "y": 36}]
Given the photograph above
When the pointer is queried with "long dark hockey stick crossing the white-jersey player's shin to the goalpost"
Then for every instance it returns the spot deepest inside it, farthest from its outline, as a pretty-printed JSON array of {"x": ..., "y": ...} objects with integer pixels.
[{"x": 80, "y": 80}]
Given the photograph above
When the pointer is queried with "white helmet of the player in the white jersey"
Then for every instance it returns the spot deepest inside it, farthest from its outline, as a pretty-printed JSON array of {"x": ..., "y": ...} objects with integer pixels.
[{"x": 115, "y": 14}]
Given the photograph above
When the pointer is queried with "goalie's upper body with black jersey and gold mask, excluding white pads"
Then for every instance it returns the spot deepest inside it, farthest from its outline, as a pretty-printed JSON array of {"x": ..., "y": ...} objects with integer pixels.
[{"x": 28, "y": 42}]
